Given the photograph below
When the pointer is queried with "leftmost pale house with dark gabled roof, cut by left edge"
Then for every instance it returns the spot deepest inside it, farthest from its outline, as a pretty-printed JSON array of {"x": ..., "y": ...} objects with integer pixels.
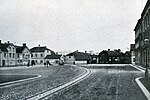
[{"x": 7, "y": 54}]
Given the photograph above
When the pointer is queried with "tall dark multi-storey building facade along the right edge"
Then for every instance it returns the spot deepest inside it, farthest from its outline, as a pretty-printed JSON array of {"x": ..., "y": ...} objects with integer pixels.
[{"x": 142, "y": 33}]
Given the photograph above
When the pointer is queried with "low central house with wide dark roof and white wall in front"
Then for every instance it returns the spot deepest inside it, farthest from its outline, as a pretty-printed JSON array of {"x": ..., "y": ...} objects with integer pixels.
[{"x": 77, "y": 58}]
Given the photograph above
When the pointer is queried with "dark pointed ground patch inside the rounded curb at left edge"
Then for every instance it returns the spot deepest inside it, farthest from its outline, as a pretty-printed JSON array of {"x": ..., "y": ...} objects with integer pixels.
[{"x": 10, "y": 78}]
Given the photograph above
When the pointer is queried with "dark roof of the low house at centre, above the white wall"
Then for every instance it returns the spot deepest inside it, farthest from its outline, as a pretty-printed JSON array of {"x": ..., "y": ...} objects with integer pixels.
[{"x": 80, "y": 56}]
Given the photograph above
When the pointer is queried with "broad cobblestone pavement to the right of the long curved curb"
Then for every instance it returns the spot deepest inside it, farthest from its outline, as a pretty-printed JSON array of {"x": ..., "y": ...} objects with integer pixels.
[{"x": 105, "y": 83}]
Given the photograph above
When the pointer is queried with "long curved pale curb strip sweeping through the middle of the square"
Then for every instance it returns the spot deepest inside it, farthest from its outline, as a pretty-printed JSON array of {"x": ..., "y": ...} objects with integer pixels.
[{"x": 59, "y": 88}]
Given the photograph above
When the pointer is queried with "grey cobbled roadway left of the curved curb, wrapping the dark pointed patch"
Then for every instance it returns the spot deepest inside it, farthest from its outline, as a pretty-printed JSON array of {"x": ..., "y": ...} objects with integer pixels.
[{"x": 52, "y": 77}]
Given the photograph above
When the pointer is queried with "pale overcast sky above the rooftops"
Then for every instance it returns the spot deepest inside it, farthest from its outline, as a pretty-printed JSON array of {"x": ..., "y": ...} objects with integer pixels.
[{"x": 64, "y": 25}]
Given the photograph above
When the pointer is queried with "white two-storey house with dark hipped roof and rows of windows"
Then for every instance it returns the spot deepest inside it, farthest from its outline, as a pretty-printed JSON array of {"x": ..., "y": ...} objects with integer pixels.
[{"x": 39, "y": 53}]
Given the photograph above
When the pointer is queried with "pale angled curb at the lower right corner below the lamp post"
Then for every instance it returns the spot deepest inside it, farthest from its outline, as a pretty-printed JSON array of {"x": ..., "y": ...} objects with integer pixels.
[{"x": 142, "y": 87}]
